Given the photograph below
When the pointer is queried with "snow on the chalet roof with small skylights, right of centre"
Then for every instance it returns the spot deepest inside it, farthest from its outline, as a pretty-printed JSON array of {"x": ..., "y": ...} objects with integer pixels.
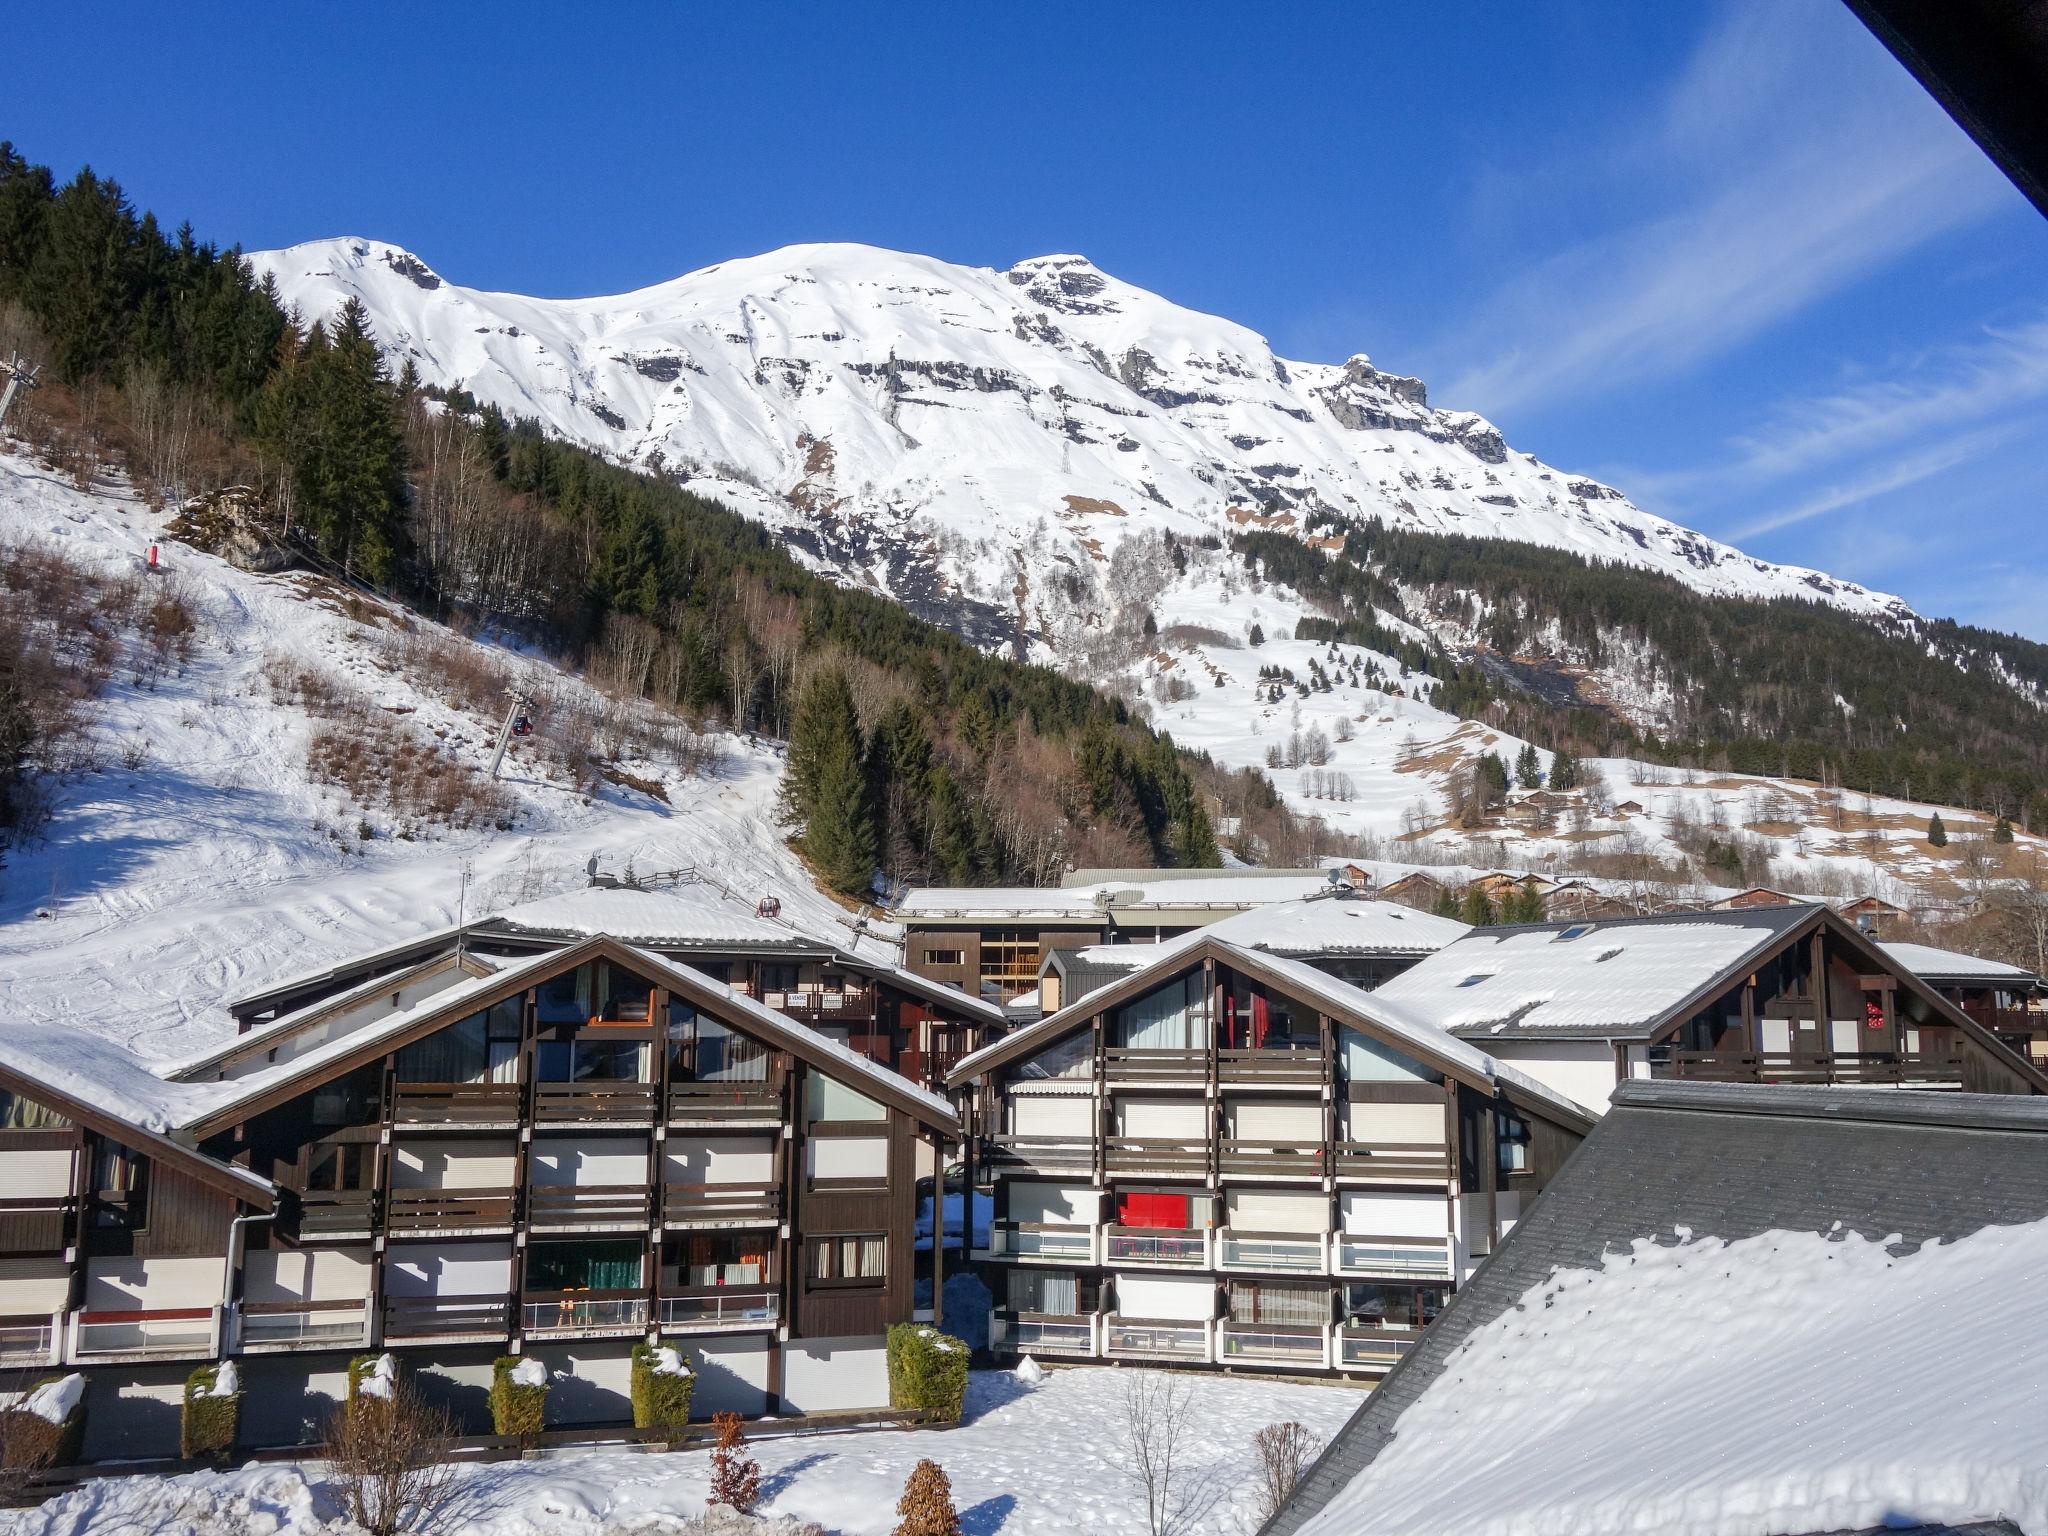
[{"x": 1584, "y": 978}]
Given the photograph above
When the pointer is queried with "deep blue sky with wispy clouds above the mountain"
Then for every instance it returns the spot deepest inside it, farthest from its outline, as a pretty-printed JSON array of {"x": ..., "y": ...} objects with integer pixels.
[{"x": 1727, "y": 257}]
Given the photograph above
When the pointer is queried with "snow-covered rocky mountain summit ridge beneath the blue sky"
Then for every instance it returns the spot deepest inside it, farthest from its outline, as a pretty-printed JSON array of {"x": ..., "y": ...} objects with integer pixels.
[{"x": 980, "y": 443}]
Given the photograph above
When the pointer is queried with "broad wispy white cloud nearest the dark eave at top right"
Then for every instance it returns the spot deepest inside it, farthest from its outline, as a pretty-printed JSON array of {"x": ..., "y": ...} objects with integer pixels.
[{"x": 1799, "y": 171}]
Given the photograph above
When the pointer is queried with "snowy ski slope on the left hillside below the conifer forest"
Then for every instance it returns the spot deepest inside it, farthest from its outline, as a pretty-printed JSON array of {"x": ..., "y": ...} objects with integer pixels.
[{"x": 202, "y": 859}]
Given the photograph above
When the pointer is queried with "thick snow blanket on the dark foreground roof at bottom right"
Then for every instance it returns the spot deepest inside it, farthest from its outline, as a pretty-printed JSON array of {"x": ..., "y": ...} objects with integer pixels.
[{"x": 1824, "y": 1404}]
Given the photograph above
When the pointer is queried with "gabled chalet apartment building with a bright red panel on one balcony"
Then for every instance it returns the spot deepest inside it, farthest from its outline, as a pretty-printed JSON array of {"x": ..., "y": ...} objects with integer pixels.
[{"x": 1232, "y": 1158}]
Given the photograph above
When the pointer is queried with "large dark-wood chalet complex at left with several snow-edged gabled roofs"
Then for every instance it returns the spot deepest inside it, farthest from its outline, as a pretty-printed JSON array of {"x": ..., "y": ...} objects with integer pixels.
[{"x": 562, "y": 1132}]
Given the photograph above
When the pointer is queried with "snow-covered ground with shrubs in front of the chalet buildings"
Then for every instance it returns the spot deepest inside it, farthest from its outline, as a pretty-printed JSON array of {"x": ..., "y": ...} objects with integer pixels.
[{"x": 1029, "y": 1461}]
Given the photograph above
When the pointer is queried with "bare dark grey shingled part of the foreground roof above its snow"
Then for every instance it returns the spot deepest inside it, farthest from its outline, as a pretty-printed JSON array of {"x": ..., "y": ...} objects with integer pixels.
[{"x": 1727, "y": 1162}]
